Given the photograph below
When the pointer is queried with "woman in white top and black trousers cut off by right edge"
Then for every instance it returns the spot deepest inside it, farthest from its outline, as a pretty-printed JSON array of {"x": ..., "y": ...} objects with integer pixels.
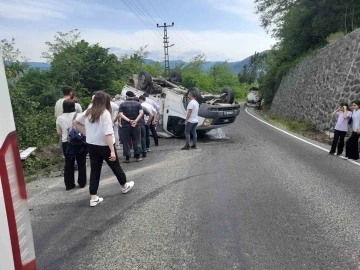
[{"x": 352, "y": 144}]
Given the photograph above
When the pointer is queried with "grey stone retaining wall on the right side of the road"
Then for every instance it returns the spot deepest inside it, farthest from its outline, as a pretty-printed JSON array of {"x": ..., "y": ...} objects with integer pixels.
[{"x": 313, "y": 89}]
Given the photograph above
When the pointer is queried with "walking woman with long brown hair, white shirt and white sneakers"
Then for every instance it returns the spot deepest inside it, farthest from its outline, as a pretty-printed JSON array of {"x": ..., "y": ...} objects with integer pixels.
[{"x": 96, "y": 123}]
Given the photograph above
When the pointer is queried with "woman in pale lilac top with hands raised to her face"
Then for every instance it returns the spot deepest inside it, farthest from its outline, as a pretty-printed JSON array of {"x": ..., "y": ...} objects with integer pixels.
[{"x": 343, "y": 115}]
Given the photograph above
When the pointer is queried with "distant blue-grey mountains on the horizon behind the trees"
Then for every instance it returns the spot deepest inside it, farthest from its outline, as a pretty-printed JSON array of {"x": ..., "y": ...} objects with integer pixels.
[{"x": 236, "y": 67}]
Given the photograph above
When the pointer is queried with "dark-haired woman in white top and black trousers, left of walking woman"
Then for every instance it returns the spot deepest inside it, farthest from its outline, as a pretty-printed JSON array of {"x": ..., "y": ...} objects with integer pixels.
[{"x": 64, "y": 124}]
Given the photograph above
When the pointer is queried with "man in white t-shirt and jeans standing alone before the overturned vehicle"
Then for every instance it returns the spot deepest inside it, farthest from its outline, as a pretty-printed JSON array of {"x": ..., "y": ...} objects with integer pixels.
[{"x": 191, "y": 121}]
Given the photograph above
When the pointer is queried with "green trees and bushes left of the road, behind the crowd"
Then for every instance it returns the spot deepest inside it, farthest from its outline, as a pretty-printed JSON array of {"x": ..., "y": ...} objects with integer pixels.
[{"x": 87, "y": 68}]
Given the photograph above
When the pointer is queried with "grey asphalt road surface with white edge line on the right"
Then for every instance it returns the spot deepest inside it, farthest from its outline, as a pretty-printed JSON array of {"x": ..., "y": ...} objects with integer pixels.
[{"x": 257, "y": 199}]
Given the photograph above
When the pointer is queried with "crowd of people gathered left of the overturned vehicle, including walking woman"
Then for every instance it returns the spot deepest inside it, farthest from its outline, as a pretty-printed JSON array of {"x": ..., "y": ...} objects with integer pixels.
[{"x": 103, "y": 126}]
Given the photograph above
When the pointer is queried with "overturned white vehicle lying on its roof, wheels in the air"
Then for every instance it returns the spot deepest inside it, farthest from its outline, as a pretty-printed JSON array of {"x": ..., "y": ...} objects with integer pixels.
[{"x": 215, "y": 111}]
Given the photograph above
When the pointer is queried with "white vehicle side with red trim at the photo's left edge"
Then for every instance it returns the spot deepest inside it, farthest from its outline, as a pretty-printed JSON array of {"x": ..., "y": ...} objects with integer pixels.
[{"x": 16, "y": 240}]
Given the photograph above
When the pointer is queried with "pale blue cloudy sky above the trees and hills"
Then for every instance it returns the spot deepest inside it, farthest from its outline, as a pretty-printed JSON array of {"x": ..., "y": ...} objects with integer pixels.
[{"x": 223, "y": 30}]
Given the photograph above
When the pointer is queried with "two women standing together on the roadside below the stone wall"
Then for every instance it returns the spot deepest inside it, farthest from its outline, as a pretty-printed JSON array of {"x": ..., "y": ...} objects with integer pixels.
[{"x": 345, "y": 117}]
